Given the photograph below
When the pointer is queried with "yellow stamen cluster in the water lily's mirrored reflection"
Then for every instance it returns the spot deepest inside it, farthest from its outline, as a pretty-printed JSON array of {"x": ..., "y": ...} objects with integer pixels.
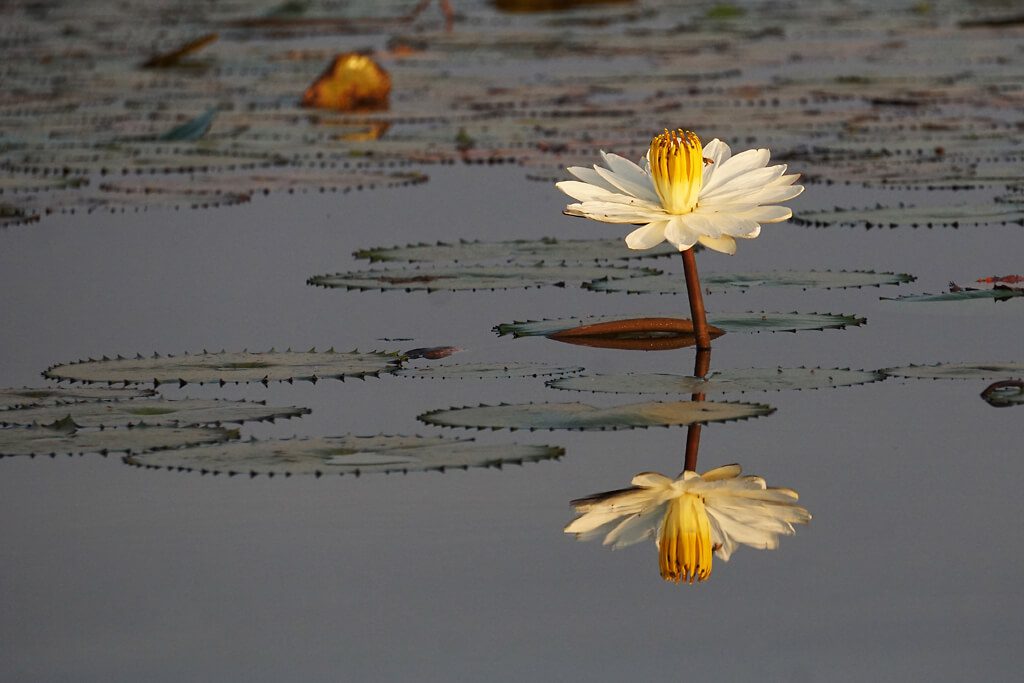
[{"x": 686, "y": 547}]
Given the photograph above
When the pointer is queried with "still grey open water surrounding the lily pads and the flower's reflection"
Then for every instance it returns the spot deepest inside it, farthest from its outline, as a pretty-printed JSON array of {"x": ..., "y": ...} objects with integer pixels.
[{"x": 911, "y": 569}]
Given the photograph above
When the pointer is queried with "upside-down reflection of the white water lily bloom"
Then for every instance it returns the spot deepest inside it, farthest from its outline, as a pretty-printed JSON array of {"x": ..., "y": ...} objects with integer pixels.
[{"x": 692, "y": 518}]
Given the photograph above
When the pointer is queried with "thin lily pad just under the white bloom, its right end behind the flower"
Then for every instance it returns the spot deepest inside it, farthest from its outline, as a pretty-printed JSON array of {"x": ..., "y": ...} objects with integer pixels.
[{"x": 532, "y": 251}]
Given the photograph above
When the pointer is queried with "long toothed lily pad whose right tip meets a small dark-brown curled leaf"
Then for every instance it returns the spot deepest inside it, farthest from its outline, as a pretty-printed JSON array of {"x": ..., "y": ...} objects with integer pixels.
[{"x": 229, "y": 367}]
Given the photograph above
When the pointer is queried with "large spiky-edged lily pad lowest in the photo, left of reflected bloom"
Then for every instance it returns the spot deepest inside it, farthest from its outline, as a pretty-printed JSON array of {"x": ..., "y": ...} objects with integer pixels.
[{"x": 347, "y": 455}]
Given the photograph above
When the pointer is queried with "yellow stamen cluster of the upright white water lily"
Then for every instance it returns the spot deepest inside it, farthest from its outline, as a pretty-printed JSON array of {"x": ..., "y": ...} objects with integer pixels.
[{"x": 677, "y": 166}]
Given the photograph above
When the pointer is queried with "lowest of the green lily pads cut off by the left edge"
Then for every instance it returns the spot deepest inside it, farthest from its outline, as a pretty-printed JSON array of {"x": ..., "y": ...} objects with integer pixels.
[{"x": 50, "y": 441}]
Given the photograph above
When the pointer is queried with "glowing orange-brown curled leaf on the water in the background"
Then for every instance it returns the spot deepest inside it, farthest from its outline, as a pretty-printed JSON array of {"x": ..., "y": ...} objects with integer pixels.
[{"x": 354, "y": 82}]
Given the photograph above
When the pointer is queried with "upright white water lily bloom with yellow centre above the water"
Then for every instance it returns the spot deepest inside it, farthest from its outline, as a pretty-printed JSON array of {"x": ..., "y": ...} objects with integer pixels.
[{"x": 685, "y": 193}]
